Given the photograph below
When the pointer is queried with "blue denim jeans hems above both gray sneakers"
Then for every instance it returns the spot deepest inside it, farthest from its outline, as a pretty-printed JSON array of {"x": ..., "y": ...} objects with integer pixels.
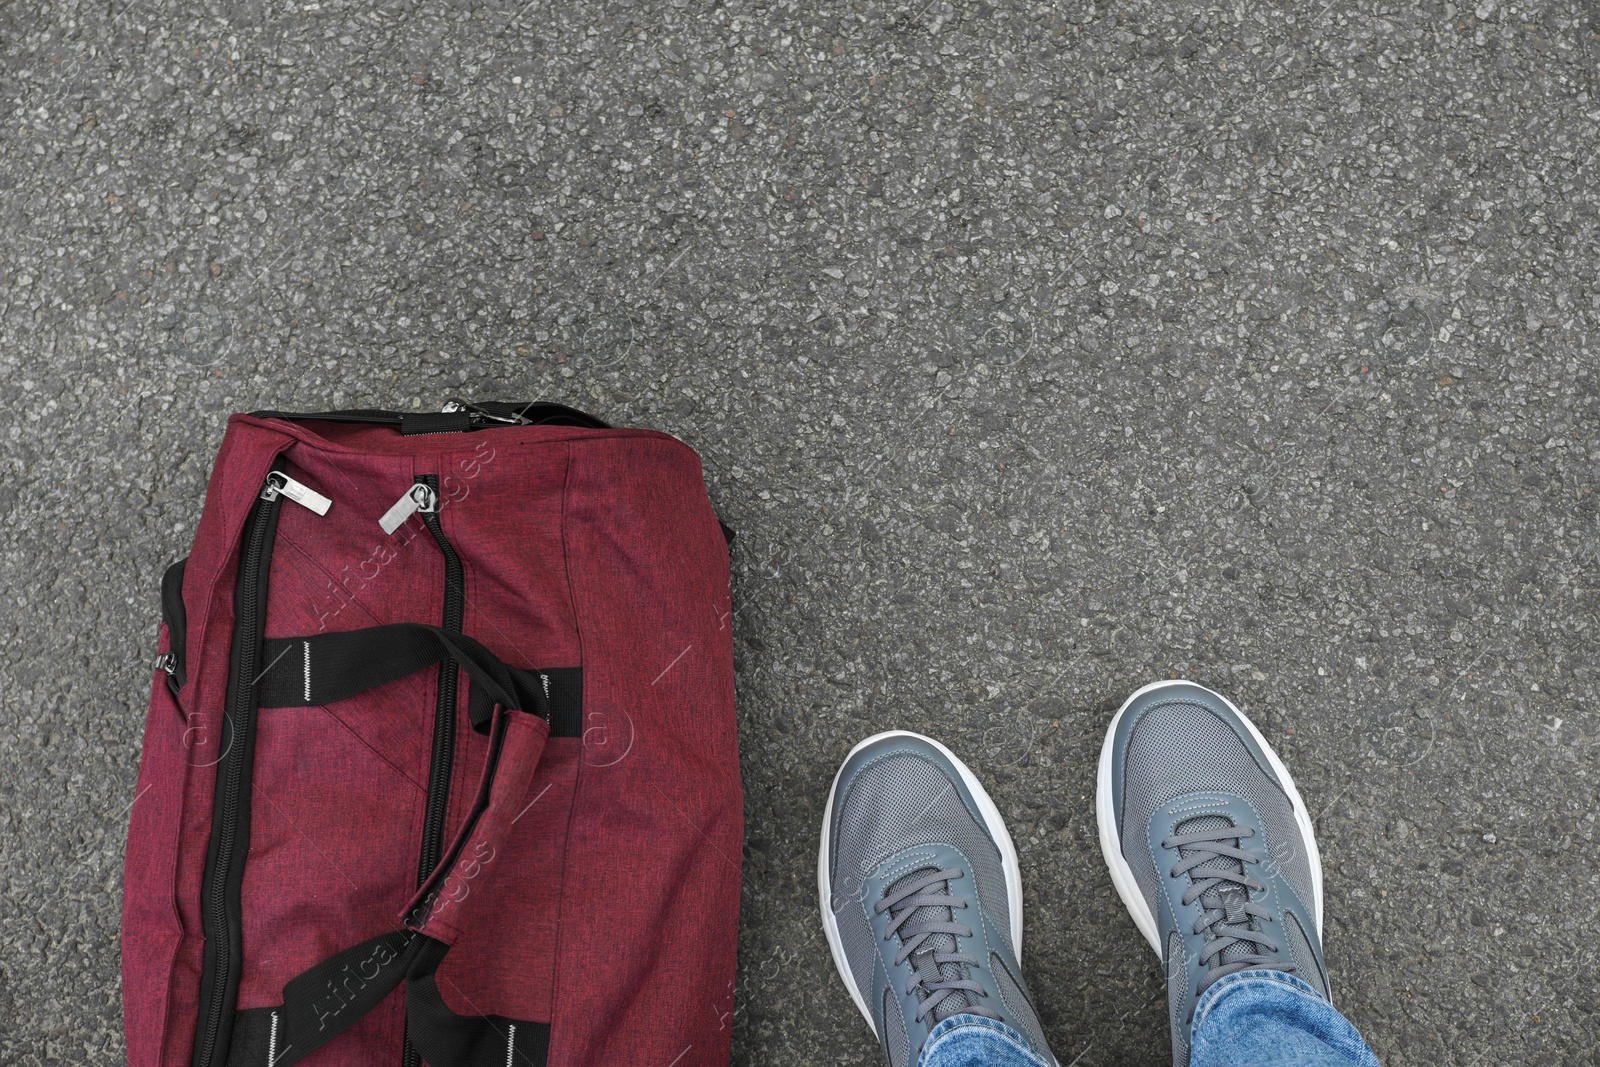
[{"x": 1246, "y": 1020}]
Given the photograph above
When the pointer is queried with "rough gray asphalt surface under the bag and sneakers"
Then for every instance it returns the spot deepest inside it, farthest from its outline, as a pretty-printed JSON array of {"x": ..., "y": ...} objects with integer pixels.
[{"x": 1036, "y": 353}]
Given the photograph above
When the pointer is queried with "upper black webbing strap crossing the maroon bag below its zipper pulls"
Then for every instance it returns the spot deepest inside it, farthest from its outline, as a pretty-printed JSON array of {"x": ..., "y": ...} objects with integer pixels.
[{"x": 326, "y": 668}]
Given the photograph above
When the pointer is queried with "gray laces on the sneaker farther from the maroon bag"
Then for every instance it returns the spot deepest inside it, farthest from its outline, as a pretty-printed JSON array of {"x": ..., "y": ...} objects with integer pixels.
[{"x": 1218, "y": 877}]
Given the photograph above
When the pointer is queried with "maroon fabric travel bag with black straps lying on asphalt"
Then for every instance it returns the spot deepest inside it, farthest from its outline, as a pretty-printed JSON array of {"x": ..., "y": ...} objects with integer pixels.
[{"x": 441, "y": 761}]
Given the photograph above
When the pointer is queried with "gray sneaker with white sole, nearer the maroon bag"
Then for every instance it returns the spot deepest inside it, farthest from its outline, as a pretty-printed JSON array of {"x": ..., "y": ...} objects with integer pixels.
[{"x": 922, "y": 897}]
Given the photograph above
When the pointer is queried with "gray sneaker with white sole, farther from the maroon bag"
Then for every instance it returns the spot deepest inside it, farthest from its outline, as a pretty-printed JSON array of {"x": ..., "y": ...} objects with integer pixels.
[{"x": 1209, "y": 844}]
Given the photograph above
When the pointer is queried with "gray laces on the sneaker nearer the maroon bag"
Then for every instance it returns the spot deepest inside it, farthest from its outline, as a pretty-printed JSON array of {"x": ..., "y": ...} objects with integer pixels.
[{"x": 922, "y": 911}]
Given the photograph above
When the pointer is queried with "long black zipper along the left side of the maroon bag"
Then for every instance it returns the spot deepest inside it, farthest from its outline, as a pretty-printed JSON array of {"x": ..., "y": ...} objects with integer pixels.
[{"x": 231, "y": 818}]
